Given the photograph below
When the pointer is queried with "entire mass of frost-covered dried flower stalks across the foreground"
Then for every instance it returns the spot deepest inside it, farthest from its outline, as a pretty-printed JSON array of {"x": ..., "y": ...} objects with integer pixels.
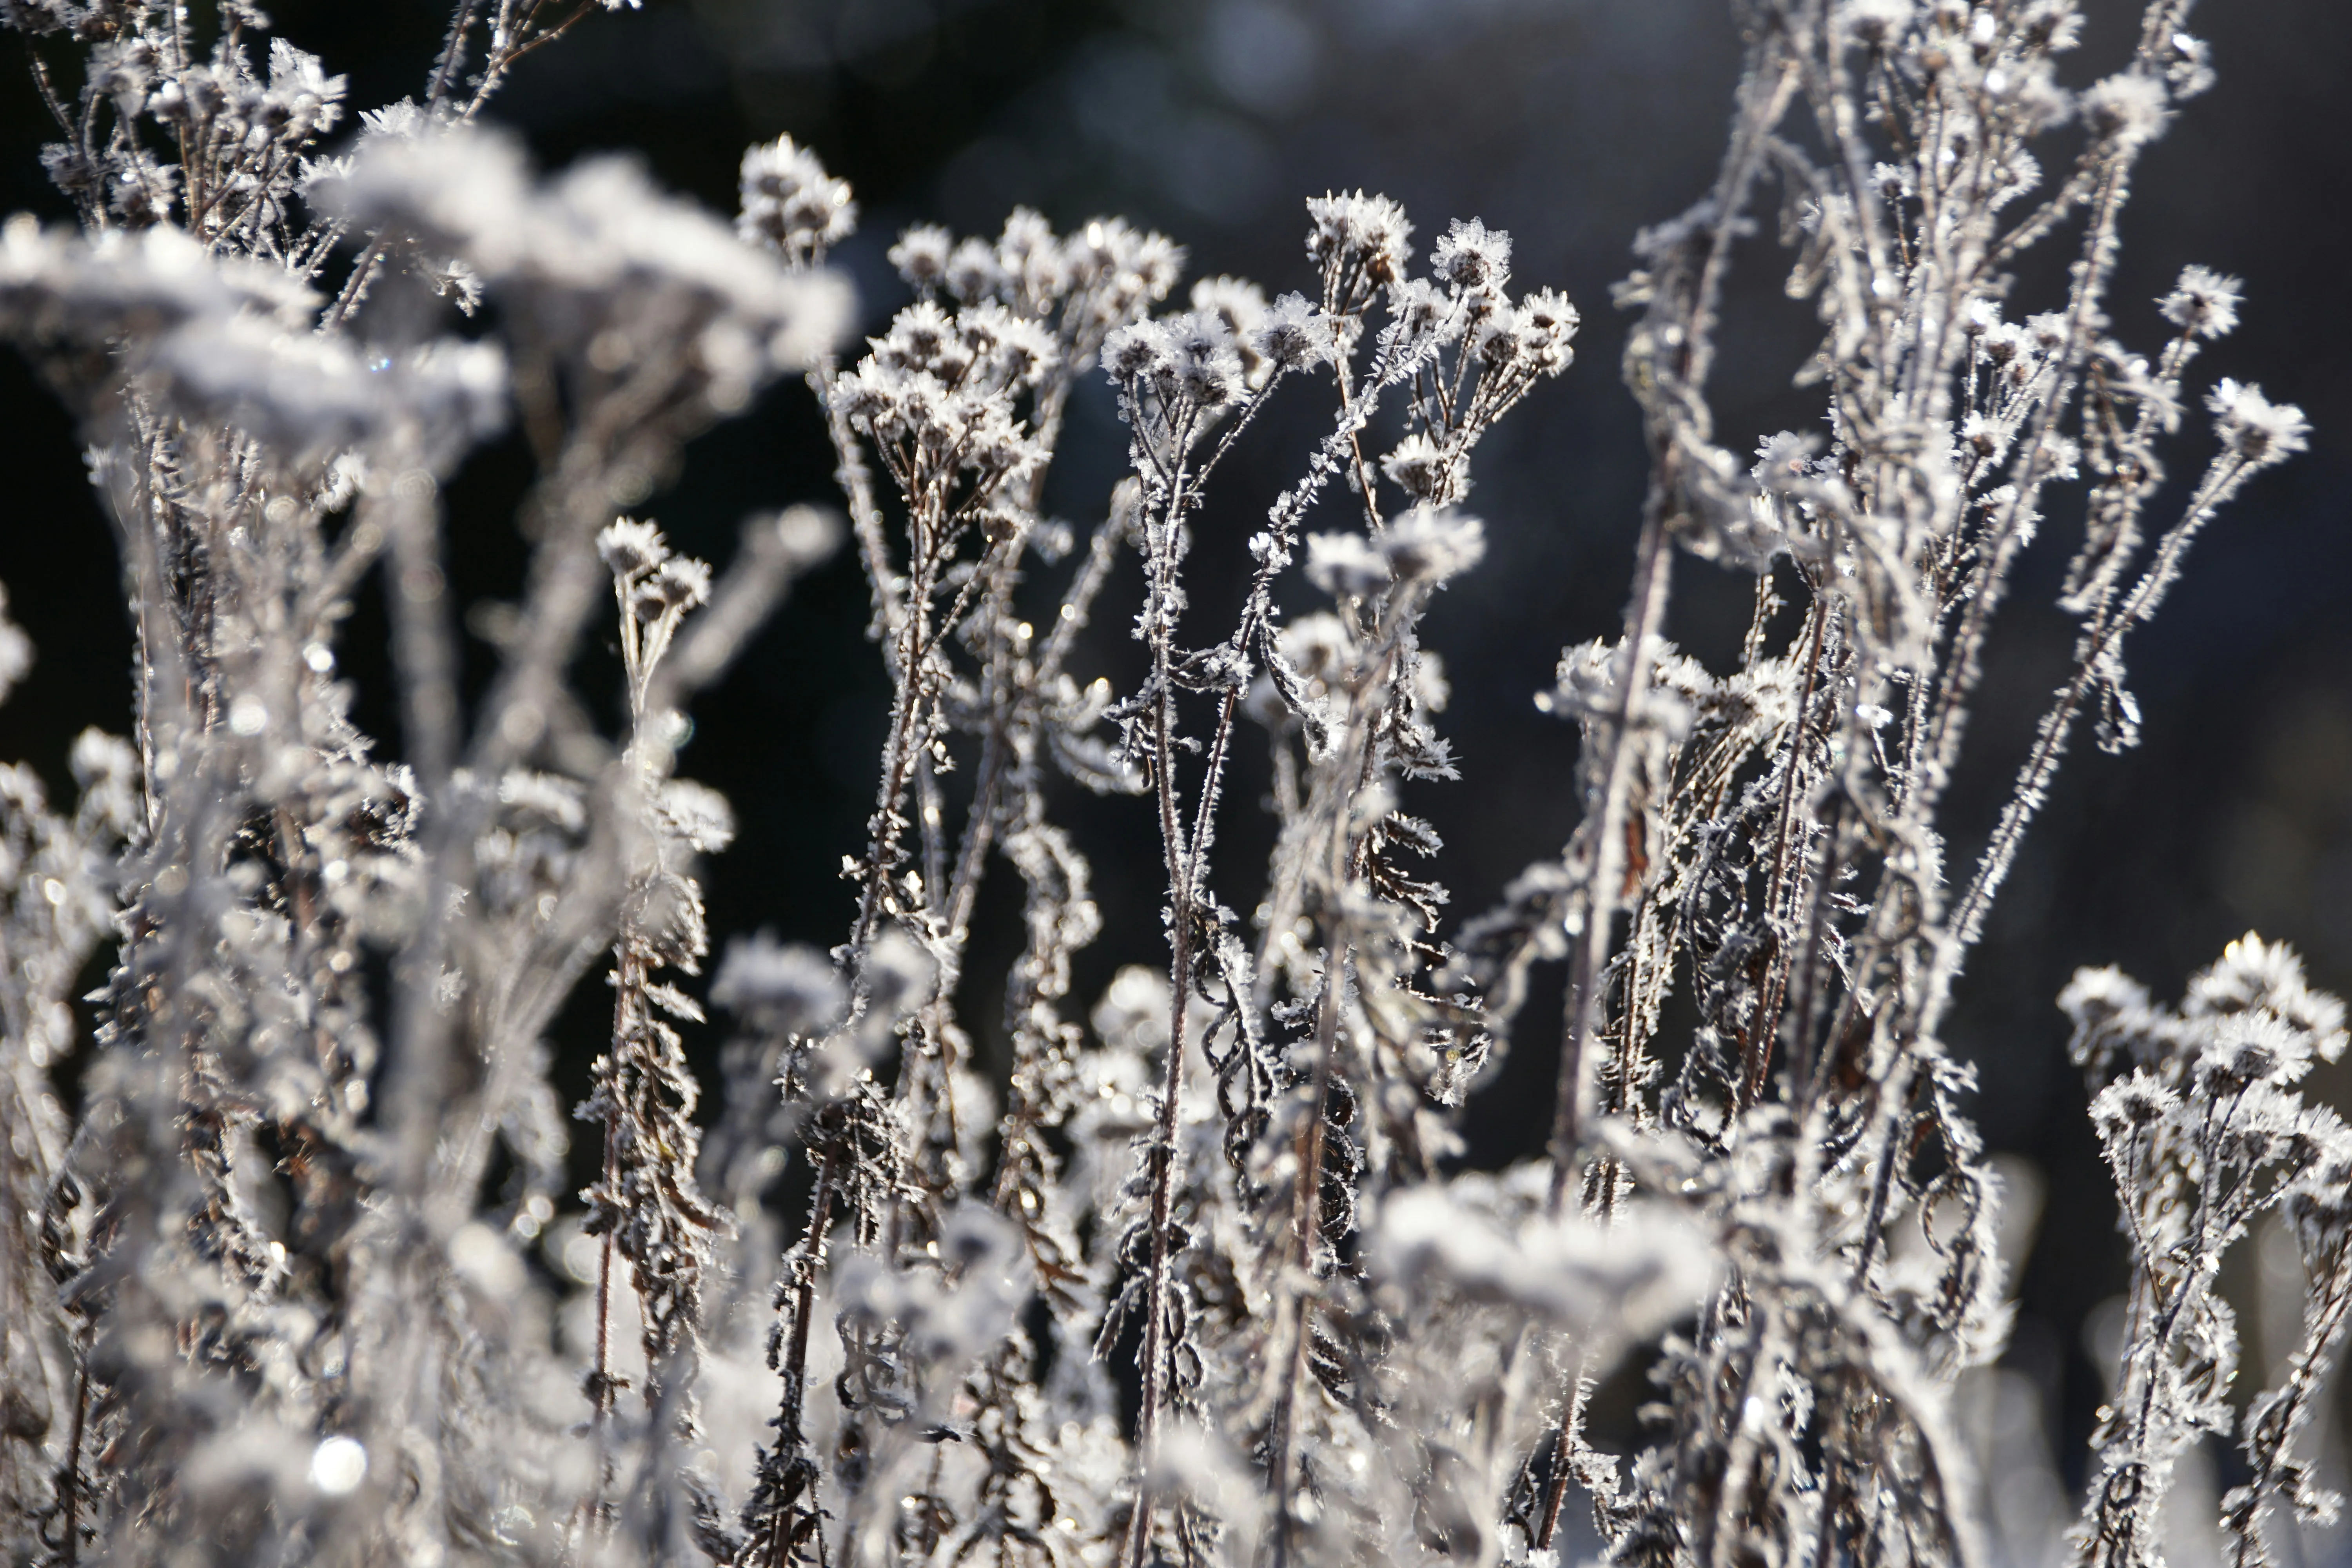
[{"x": 293, "y": 1271}]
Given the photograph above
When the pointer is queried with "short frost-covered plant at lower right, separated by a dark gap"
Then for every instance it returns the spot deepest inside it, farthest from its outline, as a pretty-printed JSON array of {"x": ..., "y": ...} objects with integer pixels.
[{"x": 2205, "y": 1137}]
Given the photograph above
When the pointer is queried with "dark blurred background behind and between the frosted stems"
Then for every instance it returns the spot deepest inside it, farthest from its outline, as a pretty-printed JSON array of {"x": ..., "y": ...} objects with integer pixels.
[{"x": 1572, "y": 123}]
